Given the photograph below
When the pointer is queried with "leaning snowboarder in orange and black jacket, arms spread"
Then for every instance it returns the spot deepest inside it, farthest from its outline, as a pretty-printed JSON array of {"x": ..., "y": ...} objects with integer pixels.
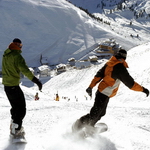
[{"x": 109, "y": 78}]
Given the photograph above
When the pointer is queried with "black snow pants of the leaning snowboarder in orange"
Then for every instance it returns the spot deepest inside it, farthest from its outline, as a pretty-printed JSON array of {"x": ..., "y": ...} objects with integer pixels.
[{"x": 97, "y": 111}]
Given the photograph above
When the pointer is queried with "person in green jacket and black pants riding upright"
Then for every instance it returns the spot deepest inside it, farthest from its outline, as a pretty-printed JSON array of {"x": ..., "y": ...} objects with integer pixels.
[{"x": 12, "y": 65}]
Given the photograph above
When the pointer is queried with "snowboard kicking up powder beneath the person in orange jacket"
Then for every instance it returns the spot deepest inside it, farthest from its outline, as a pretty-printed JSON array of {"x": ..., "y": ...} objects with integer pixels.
[{"x": 89, "y": 131}]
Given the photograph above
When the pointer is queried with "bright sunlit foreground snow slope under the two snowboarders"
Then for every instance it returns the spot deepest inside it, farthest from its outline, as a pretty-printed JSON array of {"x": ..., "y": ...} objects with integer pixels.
[{"x": 48, "y": 122}]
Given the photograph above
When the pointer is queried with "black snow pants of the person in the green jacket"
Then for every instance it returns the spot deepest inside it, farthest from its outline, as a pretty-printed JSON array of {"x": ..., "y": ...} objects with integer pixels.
[{"x": 17, "y": 102}]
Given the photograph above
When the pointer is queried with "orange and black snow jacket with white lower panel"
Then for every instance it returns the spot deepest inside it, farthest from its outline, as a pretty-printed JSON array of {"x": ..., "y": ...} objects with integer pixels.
[{"x": 110, "y": 75}]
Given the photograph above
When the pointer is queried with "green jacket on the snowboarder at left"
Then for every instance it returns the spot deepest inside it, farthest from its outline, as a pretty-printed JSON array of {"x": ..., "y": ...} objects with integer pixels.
[{"x": 12, "y": 65}]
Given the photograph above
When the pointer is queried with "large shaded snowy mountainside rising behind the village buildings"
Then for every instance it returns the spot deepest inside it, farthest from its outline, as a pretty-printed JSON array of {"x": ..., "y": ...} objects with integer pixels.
[{"x": 58, "y": 30}]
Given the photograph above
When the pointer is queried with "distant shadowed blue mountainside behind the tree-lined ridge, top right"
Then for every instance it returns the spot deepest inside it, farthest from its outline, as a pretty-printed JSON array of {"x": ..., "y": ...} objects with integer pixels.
[{"x": 99, "y": 6}]
